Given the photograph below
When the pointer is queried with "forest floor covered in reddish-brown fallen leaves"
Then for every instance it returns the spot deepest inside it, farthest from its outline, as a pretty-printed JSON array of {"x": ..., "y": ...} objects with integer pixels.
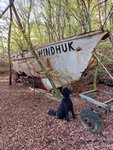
[{"x": 25, "y": 125}]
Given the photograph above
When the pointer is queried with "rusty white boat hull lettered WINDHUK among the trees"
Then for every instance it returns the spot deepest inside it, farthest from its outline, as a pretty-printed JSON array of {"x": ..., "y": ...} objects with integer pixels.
[{"x": 66, "y": 59}]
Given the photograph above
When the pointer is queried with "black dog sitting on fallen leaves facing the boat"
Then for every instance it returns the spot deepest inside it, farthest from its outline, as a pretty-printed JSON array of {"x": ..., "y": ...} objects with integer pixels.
[{"x": 65, "y": 106}]
